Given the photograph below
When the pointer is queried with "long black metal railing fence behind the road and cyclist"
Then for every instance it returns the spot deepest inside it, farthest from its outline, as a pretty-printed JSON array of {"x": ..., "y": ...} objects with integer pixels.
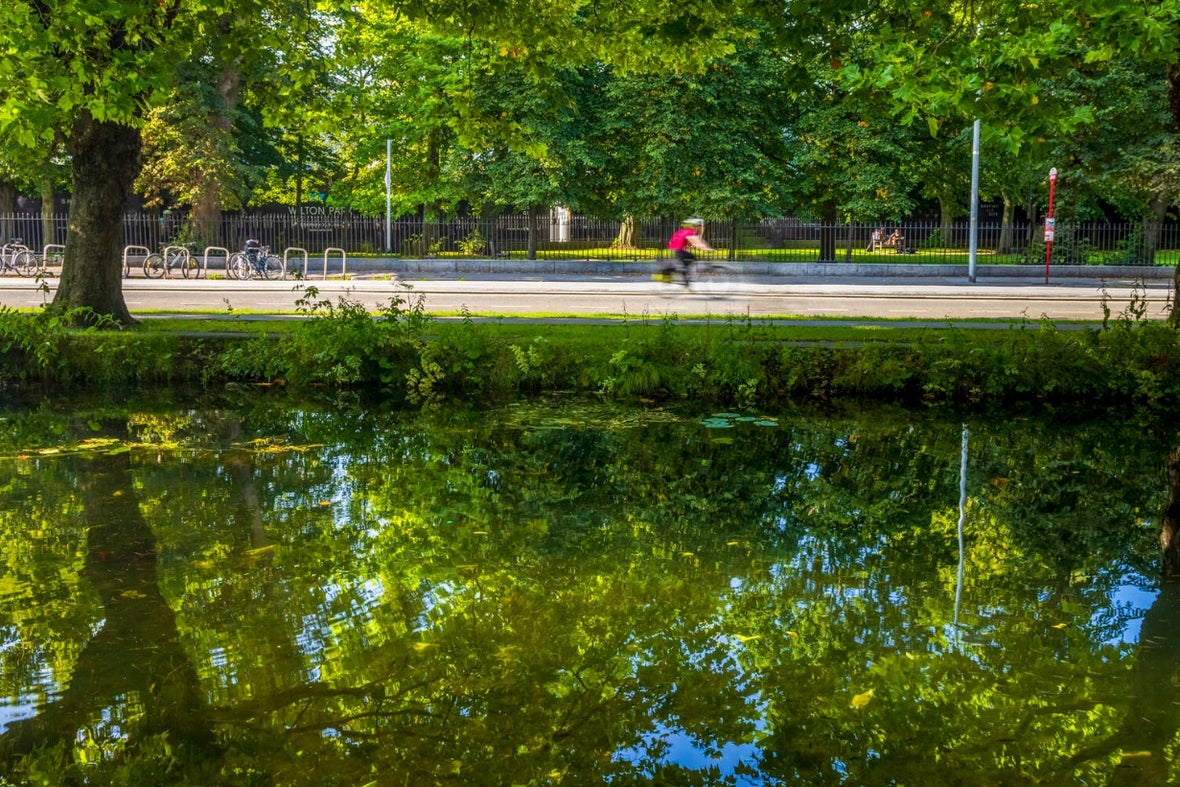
[{"x": 565, "y": 235}]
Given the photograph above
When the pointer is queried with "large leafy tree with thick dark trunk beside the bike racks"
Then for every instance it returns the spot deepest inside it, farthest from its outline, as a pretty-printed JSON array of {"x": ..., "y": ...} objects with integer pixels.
[{"x": 82, "y": 73}]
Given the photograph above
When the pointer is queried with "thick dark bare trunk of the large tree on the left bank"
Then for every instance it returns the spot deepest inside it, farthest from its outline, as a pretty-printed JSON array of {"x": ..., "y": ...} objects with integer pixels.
[{"x": 106, "y": 163}]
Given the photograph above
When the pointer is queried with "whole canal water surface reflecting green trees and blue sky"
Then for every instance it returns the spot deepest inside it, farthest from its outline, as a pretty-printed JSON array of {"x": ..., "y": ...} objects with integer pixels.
[{"x": 568, "y": 592}]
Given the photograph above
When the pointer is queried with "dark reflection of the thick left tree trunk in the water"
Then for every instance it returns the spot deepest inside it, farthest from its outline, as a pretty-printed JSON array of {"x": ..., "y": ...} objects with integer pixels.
[{"x": 135, "y": 665}]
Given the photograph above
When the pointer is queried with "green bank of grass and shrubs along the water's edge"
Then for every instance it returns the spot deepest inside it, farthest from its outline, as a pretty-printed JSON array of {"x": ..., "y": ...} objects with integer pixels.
[{"x": 404, "y": 352}]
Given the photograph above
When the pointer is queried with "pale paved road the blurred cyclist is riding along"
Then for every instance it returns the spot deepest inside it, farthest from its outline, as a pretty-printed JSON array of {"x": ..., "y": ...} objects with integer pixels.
[{"x": 635, "y": 297}]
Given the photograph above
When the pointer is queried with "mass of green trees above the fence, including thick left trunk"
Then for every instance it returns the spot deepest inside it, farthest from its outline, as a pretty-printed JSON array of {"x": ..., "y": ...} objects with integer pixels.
[{"x": 725, "y": 109}]
